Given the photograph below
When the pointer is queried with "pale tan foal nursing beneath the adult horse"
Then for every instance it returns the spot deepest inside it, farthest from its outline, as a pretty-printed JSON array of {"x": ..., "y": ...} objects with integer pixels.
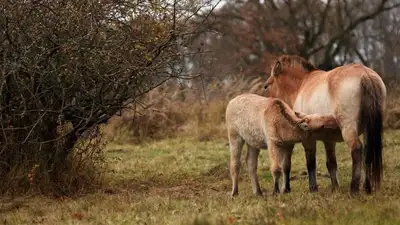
[{"x": 262, "y": 122}]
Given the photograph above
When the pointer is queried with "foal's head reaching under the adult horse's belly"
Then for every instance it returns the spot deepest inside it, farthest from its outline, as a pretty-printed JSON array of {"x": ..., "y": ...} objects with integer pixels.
[{"x": 315, "y": 122}]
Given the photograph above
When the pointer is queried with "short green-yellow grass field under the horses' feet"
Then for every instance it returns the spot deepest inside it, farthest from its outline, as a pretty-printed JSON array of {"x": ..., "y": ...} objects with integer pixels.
[{"x": 184, "y": 181}]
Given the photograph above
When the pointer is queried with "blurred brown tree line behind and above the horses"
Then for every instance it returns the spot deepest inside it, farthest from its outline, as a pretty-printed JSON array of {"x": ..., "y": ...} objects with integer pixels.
[{"x": 246, "y": 35}]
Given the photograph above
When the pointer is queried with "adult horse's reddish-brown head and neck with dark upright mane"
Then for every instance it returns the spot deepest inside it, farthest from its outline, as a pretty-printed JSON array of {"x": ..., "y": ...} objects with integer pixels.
[{"x": 286, "y": 76}]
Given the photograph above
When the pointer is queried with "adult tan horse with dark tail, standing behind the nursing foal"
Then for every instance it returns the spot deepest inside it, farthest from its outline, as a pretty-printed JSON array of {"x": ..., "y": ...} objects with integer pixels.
[{"x": 354, "y": 94}]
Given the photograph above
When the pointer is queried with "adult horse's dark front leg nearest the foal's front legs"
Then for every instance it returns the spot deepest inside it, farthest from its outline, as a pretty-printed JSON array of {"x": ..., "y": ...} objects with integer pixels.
[{"x": 310, "y": 147}]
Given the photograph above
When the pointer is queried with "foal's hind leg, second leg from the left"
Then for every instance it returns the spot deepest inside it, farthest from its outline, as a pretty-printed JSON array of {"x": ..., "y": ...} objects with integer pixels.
[{"x": 252, "y": 161}]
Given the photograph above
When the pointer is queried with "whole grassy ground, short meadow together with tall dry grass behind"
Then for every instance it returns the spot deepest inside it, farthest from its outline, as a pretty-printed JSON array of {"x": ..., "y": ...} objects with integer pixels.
[{"x": 181, "y": 176}]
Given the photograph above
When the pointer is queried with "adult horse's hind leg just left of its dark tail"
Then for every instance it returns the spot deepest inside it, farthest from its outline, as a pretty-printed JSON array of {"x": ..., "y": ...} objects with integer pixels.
[{"x": 351, "y": 138}]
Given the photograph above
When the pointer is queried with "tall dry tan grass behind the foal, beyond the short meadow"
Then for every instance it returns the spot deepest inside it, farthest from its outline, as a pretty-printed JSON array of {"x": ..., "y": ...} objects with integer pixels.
[{"x": 173, "y": 110}]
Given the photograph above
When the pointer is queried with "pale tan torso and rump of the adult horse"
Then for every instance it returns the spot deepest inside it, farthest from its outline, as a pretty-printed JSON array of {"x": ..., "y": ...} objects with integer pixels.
[{"x": 337, "y": 92}]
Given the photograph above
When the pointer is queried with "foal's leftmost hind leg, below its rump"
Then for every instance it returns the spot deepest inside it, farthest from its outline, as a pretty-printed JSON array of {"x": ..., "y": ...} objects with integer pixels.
[{"x": 235, "y": 144}]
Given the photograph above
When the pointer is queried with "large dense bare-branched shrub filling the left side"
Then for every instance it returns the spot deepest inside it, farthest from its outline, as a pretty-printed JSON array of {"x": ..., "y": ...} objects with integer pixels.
[{"x": 74, "y": 64}]
